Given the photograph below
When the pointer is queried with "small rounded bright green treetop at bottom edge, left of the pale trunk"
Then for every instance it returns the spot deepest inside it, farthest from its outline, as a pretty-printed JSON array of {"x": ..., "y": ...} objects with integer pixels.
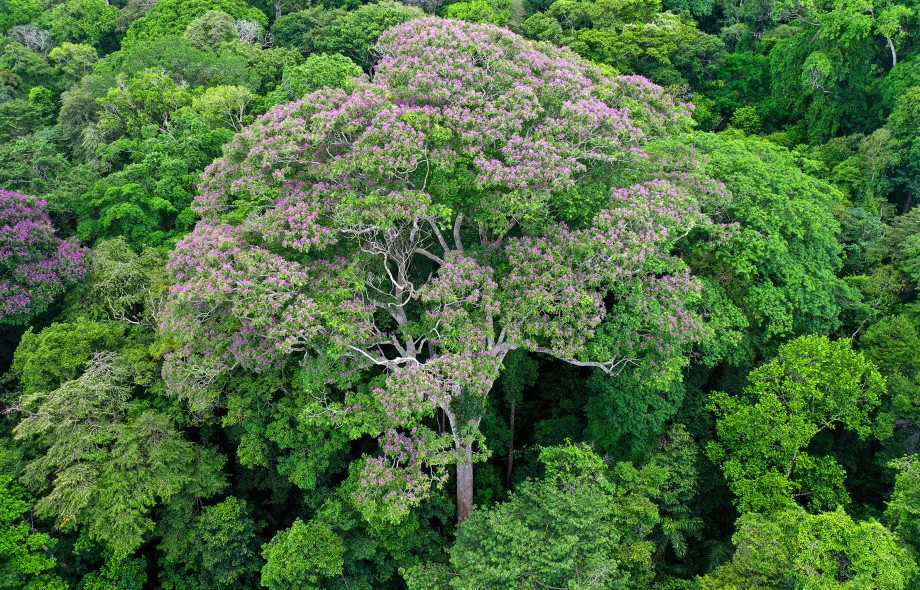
[{"x": 302, "y": 556}]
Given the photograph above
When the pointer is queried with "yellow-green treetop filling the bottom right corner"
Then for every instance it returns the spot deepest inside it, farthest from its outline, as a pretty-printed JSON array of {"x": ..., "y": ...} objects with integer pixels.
[{"x": 794, "y": 549}]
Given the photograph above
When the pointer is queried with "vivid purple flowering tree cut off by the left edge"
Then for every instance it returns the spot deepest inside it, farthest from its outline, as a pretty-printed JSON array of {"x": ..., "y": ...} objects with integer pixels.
[{"x": 35, "y": 265}]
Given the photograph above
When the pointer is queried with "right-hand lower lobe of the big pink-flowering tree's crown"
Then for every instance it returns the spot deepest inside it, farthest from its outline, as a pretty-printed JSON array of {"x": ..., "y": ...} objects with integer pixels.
[{"x": 559, "y": 281}]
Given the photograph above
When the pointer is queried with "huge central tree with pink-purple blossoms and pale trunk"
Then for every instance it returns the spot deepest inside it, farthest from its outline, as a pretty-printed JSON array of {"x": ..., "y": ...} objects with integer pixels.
[{"x": 401, "y": 238}]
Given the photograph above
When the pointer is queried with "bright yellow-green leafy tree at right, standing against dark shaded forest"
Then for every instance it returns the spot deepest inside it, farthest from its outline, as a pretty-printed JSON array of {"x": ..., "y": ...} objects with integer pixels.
[{"x": 812, "y": 385}]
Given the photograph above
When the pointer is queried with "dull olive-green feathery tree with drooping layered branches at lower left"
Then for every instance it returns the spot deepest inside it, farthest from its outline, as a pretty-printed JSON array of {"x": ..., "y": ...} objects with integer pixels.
[{"x": 107, "y": 463}]
